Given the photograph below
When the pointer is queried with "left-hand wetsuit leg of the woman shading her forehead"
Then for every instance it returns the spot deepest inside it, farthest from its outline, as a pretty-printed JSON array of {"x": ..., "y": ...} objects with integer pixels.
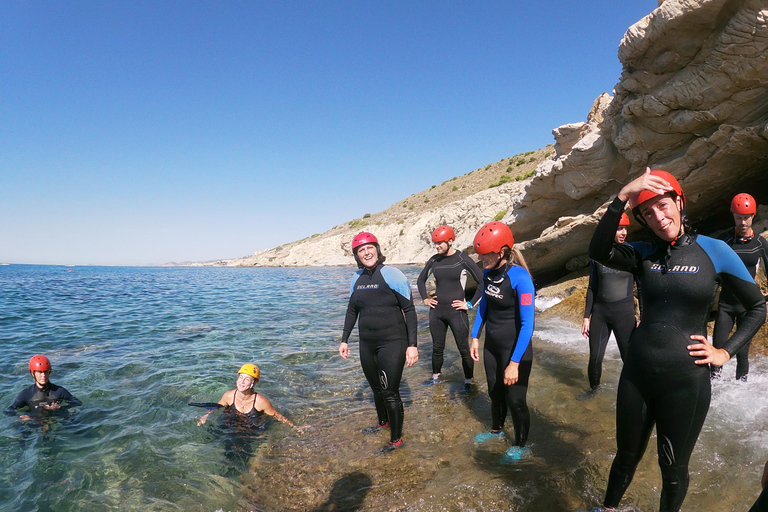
[{"x": 634, "y": 424}]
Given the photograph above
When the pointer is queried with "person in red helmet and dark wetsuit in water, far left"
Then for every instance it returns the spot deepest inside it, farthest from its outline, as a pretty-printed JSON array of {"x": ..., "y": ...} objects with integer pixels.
[{"x": 43, "y": 395}]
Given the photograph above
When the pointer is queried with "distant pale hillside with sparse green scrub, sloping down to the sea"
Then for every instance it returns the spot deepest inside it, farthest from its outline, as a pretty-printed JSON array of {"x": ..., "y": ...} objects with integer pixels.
[{"x": 465, "y": 202}]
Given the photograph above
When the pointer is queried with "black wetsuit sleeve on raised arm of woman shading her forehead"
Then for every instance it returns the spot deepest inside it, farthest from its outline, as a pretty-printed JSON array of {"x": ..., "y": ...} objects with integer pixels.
[{"x": 602, "y": 247}]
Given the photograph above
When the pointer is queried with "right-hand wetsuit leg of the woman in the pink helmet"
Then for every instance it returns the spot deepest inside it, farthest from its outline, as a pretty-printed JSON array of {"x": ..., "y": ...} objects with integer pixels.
[{"x": 390, "y": 361}]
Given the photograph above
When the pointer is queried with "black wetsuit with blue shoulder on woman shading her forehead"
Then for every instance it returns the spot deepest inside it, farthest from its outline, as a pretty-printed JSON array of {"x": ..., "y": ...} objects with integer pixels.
[{"x": 660, "y": 383}]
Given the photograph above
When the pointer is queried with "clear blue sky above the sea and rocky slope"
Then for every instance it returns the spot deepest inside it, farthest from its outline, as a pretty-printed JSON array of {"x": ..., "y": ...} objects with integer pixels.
[{"x": 135, "y": 133}]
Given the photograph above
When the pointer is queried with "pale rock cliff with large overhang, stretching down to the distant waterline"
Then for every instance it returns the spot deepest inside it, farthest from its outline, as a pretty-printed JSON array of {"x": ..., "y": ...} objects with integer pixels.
[{"x": 691, "y": 100}]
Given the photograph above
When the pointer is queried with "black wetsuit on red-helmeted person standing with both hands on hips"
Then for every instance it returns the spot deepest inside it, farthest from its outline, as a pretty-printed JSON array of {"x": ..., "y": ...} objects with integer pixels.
[{"x": 451, "y": 274}]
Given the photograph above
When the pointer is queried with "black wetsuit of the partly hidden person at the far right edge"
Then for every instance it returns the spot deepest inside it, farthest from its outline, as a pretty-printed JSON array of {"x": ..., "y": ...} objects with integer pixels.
[{"x": 729, "y": 311}]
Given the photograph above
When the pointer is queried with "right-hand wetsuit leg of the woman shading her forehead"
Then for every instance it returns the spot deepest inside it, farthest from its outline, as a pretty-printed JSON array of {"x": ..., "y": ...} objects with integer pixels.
[{"x": 682, "y": 403}]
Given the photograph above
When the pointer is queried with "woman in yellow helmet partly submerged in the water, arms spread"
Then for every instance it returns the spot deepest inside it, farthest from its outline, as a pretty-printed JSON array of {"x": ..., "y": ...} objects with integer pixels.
[{"x": 245, "y": 402}]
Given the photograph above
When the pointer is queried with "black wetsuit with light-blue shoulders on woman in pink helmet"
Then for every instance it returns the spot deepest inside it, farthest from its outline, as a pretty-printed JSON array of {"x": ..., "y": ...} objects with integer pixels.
[{"x": 381, "y": 298}]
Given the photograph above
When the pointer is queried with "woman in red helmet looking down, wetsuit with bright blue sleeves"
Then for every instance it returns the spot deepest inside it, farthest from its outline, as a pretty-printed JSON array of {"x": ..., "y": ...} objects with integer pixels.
[{"x": 507, "y": 311}]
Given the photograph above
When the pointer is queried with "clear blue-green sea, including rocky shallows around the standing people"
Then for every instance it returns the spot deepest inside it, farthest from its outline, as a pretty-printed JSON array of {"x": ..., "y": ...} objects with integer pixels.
[{"x": 137, "y": 344}]
